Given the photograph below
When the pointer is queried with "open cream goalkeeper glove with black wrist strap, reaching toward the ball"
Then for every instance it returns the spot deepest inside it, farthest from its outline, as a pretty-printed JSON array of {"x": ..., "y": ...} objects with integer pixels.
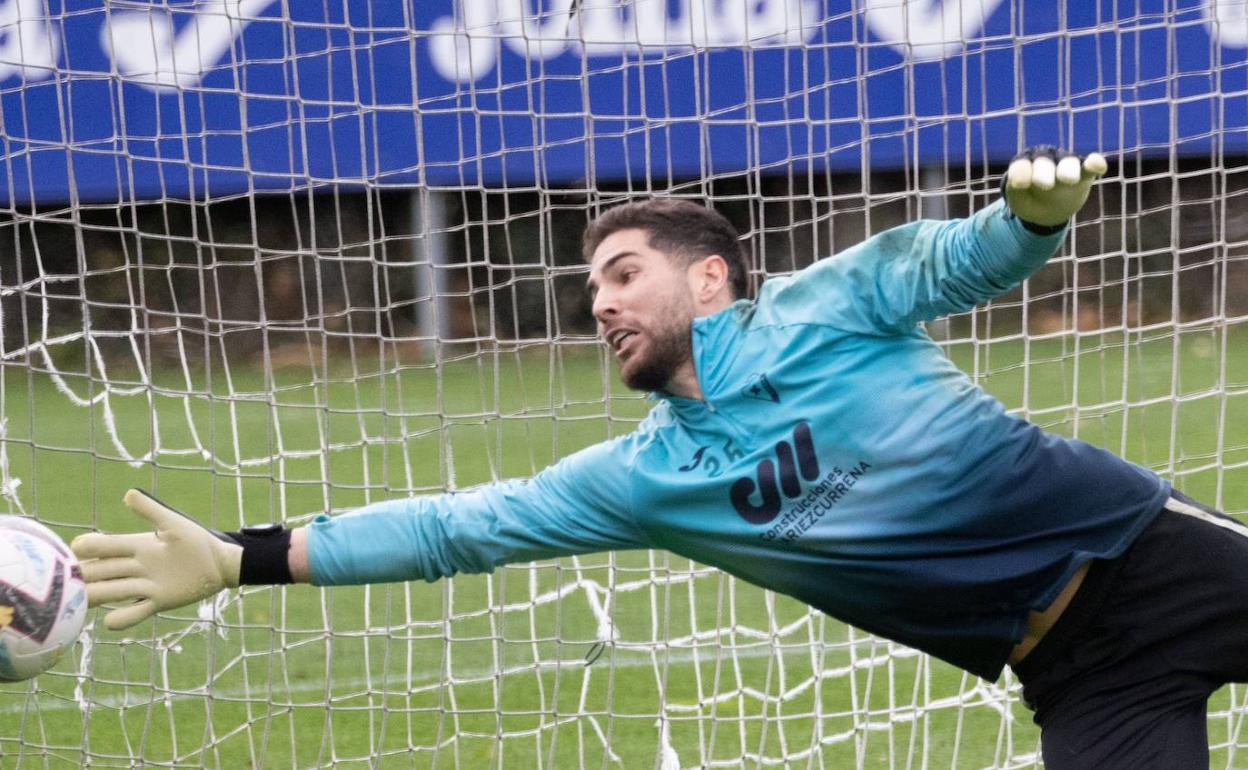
[{"x": 179, "y": 565}]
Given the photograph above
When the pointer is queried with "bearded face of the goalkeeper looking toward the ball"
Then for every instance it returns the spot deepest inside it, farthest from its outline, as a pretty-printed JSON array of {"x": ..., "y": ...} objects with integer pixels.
[{"x": 645, "y": 309}]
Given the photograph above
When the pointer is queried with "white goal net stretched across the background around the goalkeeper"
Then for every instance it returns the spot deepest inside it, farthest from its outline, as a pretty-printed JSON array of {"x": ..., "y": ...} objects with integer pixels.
[{"x": 269, "y": 260}]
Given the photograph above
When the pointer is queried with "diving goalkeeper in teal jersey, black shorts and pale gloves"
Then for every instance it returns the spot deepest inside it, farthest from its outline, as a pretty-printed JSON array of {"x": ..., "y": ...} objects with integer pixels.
[{"x": 817, "y": 442}]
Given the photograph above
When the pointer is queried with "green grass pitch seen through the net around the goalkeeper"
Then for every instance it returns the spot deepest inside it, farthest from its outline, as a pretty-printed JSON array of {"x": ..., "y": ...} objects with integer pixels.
[{"x": 491, "y": 671}]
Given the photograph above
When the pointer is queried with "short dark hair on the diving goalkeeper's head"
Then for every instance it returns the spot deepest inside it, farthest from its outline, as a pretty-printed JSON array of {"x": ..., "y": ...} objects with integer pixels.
[{"x": 681, "y": 229}]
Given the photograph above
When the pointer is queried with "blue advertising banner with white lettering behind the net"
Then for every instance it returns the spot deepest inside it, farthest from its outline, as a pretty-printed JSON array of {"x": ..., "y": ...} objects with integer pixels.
[{"x": 122, "y": 102}]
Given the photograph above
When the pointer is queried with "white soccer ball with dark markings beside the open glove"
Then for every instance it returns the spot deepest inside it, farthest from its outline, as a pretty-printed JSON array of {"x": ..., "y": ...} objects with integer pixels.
[{"x": 43, "y": 598}]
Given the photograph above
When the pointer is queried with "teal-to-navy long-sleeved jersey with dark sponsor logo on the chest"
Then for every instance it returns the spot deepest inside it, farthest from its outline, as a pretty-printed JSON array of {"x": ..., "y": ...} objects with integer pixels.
[{"x": 838, "y": 457}]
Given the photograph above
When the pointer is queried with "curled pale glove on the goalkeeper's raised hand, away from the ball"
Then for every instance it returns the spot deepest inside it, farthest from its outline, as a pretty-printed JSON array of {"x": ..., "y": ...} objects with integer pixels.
[{"x": 1045, "y": 190}]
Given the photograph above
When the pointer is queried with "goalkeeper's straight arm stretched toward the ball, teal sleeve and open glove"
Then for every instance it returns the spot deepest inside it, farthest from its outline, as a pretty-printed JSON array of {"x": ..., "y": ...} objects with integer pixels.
[{"x": 578, "y": 506}]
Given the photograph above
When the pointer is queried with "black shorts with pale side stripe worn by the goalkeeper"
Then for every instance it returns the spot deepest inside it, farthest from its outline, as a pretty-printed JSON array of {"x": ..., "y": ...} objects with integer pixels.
[{"x": 1125, "y": 676}]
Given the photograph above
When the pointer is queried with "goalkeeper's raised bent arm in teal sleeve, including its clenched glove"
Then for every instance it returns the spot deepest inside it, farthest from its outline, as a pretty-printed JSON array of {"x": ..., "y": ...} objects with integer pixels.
[{"x": 930, "y": 269}]
